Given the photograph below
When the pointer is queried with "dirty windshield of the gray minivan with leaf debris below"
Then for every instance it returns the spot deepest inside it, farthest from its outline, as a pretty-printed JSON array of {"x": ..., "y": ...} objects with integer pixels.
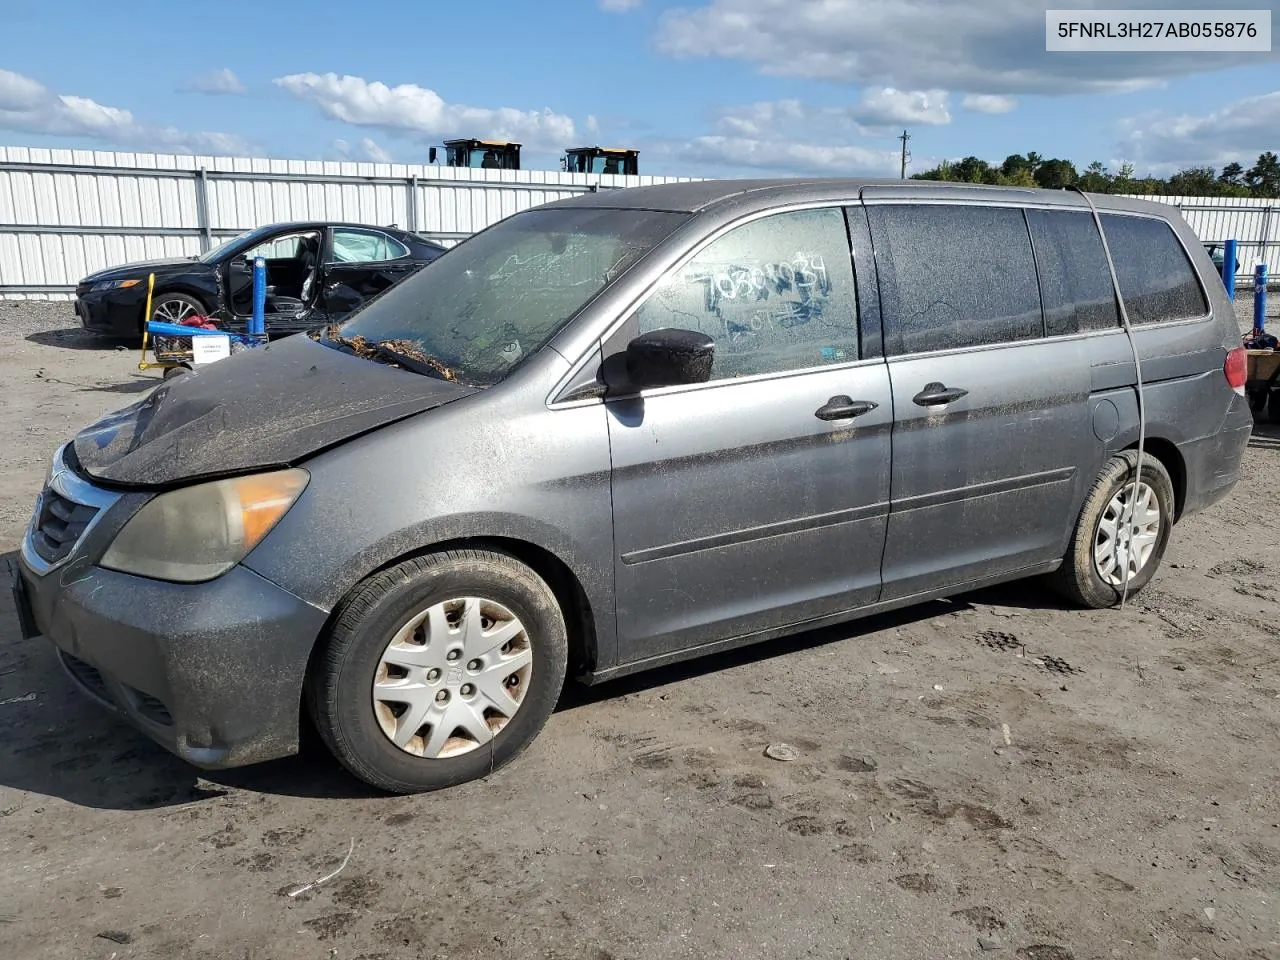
[{"x": 496, "y": 300}]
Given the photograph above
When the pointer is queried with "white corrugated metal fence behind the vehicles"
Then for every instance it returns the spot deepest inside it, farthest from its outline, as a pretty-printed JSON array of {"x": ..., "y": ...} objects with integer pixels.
[{"x": 68, "y": 213}]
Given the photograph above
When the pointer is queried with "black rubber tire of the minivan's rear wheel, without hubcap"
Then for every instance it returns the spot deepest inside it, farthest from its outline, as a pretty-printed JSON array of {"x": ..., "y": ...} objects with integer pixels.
[{"x": 1078, "y": 578}]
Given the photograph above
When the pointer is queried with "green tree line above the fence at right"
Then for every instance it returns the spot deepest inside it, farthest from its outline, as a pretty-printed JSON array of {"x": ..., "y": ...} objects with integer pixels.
[{"x": 1263, "y": 180}]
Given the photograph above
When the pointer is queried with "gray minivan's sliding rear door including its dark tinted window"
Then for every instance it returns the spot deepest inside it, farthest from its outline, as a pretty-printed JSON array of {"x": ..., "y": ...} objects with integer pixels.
[{"x": 991, "y": 418}]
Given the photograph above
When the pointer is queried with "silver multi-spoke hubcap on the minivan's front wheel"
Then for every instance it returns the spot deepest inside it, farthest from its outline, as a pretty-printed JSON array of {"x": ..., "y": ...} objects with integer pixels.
[{"x": 452, "y": 678}]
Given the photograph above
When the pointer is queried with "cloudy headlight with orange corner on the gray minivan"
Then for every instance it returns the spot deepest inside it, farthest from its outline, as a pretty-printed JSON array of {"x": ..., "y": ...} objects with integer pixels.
[{"x": 199, "y": 533}]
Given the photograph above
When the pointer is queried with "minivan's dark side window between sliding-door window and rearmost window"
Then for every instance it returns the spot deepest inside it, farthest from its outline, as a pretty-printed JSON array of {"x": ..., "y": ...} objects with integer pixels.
[{"x": 1076, "y": 284}]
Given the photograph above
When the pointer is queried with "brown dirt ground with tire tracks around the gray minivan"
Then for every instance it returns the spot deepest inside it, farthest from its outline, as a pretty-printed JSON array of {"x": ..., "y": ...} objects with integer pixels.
[{"x": 994, "y": 776}]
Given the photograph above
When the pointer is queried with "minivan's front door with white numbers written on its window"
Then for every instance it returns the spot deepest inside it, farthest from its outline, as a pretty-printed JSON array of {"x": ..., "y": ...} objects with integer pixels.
[{"x": 760, "y": 499}]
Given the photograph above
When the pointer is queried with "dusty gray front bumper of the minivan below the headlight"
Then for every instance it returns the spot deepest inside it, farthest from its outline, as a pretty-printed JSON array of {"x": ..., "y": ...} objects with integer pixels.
[{"x": 211, "y": 671}]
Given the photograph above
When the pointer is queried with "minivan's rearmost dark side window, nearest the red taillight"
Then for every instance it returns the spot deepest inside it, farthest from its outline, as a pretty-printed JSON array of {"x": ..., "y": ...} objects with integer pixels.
[{"x": 1156, "y": 278}]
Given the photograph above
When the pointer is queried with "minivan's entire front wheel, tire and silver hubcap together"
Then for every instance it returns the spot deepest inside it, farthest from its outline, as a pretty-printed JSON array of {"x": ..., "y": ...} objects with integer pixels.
[{"x": 440, "y": 670}]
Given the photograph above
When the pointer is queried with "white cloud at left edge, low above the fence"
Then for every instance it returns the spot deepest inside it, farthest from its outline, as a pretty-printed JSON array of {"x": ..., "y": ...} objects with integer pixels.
[{"x": 29, "y": 107}]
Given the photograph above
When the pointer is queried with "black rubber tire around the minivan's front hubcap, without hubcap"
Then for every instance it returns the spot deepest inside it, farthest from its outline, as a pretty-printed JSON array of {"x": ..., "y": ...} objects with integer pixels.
[{"x": 341, "y": 679}]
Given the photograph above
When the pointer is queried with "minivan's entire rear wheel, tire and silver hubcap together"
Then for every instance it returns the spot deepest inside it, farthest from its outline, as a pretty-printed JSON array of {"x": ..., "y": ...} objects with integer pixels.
[{"x": 1122, "y": 533}]
